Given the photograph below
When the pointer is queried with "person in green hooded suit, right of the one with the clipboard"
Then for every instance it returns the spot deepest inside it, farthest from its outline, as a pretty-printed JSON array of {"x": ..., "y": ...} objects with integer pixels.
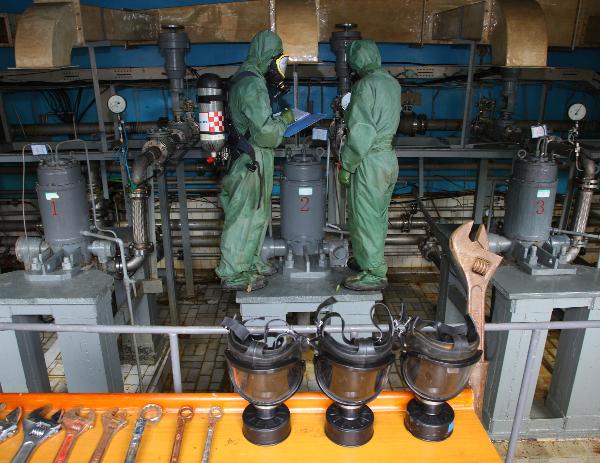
[{"x": 369, "y": 165}]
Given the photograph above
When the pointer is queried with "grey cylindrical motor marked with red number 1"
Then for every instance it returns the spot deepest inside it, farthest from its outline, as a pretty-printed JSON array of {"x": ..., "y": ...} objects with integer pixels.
[{"x": 63, "y": 204}]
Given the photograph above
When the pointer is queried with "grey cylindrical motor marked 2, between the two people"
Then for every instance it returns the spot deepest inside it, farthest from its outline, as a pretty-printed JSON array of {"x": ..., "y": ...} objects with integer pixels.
[{"x": 303, "y": 204}]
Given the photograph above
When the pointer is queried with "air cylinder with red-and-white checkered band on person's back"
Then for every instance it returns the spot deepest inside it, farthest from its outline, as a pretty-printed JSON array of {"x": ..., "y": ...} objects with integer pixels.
[{"x": 211, "y": 115}]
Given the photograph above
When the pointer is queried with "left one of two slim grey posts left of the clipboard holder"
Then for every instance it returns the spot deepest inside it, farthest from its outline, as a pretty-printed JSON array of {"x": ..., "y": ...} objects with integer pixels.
[{"x": 163, "y": 198}]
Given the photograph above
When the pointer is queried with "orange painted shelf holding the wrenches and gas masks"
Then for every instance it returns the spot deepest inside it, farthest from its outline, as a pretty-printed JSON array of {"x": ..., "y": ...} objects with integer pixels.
[{"x": 307, "y": 442}]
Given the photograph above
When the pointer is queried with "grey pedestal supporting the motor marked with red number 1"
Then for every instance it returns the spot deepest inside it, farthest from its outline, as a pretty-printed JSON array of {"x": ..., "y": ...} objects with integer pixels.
[{"x": 91, "y": 361}]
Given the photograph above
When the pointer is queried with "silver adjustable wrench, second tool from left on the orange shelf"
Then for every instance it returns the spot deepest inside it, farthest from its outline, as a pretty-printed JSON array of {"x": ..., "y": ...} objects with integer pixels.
[{"x": 36, "y": 429}]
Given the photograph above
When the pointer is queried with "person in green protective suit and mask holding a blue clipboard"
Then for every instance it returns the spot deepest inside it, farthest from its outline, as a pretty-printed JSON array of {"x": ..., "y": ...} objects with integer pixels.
[{"x": 246, "y": 189}]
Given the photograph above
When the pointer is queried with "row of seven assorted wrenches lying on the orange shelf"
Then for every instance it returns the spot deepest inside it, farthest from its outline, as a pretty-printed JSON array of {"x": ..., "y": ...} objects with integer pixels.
[{"x": 40, "y": 425}]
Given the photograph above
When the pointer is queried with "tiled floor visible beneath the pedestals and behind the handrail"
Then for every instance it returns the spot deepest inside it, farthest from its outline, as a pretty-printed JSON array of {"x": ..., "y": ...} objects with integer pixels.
[{"x": 204, "y": 367}]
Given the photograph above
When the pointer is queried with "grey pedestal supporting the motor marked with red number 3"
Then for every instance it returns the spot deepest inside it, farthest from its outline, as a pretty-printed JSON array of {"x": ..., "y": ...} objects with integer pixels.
[{"x": 572, "y": 407}]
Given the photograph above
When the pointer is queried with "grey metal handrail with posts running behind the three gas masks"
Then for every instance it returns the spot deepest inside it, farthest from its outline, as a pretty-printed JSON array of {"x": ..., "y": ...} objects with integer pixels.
[{"x": 528, "y": 379}]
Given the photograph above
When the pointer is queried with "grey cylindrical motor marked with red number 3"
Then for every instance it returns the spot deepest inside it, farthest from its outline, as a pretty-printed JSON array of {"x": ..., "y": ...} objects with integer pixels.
[{"x": 530, "y": 199}]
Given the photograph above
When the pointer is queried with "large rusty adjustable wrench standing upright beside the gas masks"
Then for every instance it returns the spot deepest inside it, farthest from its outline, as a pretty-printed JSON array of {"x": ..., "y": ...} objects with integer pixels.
[{"x": 478, "y": 264}]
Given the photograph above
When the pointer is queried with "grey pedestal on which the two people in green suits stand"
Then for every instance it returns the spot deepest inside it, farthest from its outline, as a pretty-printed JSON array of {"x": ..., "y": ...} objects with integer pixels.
[{"x": 284, "y": 295}]
